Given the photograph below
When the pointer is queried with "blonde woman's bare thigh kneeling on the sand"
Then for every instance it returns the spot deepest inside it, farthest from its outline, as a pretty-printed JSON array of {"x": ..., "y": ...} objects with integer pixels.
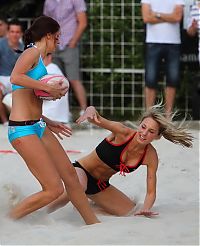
[{"x": 113, "y": 201}]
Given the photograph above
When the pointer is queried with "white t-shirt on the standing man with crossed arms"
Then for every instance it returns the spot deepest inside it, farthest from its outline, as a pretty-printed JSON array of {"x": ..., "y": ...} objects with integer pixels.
[{"x": 165, "y": 32}]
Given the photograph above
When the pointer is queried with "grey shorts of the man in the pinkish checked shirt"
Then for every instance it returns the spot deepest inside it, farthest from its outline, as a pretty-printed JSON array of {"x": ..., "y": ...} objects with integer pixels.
[{"x": 68, "y": 61}]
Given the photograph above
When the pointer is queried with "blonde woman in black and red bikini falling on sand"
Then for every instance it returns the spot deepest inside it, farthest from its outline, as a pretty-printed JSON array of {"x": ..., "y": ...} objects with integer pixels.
[{"x": 124, "y": 150}]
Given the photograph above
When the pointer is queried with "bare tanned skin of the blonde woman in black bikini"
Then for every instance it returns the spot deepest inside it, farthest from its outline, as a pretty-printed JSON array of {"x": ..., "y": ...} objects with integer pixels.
[{"x": 111, "y": 199}]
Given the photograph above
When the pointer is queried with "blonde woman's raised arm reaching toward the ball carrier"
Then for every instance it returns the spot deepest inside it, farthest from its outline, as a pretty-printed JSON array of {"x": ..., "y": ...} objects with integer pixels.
[{"x": 95, "y": 118}]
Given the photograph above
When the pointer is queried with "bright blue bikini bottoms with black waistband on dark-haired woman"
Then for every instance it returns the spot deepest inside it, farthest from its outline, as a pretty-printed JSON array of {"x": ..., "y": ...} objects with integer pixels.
[{"x": 21, "y": 129}]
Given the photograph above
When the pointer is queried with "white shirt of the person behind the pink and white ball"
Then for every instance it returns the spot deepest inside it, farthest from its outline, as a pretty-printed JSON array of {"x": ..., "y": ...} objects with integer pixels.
[{"x": 57, "y": 110}]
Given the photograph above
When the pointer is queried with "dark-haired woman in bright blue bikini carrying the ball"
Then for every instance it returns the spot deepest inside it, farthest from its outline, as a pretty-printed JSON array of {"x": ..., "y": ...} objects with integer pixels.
[{"x": 30, "y": 133}]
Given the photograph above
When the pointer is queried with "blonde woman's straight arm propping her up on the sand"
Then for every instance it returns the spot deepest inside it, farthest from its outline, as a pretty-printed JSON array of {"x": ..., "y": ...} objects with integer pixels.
[{"x": 151, "y": 186}]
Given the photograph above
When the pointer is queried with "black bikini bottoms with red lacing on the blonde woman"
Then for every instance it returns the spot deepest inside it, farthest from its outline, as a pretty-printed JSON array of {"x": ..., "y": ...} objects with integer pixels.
[{"x": 93, "y": 185}]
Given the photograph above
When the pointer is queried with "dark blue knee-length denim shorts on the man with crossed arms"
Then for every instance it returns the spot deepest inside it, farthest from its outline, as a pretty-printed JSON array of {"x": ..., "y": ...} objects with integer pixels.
[{"x": 155, "y": 53}]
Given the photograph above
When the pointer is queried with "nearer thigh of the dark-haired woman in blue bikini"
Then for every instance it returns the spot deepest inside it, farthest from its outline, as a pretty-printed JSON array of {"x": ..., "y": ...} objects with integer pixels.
[{"x": 37, "y": 159}]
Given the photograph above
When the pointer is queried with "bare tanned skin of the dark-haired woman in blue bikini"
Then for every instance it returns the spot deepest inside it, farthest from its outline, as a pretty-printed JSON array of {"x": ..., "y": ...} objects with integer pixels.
[{"x": 45, "y": 157}]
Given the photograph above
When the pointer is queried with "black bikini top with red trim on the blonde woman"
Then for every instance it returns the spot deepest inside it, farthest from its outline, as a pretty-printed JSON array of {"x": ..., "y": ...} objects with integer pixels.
[{"x": 111, "y": 154}]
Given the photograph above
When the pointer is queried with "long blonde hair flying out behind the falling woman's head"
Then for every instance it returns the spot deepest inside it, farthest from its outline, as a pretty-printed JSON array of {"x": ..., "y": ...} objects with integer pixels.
[{"x": 170, "y": 131}]
